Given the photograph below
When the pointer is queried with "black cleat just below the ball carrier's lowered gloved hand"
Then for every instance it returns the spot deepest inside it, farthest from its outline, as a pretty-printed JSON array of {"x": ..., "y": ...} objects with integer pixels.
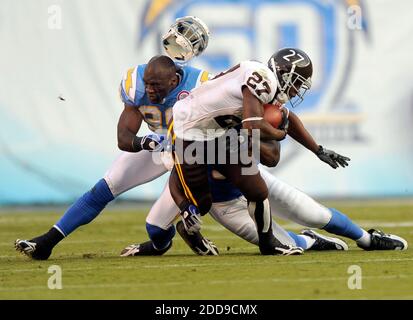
[{"x": 196, "y": 241}]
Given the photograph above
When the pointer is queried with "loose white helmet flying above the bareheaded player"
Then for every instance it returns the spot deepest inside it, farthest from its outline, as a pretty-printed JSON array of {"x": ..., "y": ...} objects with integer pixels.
[{"x": 187, "y": 38}]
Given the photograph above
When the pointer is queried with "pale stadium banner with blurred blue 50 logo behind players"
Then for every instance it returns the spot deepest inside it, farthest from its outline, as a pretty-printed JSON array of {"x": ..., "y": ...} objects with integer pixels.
[{"x": 61, "y": 63}]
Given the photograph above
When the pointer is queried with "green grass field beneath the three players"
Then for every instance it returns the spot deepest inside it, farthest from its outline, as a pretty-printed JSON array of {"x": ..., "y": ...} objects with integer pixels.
[{"x": 92, "y": 269}]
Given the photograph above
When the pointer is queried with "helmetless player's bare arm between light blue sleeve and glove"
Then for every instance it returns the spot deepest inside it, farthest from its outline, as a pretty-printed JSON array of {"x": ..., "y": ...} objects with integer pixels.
[{"x": 129, "y": 124}]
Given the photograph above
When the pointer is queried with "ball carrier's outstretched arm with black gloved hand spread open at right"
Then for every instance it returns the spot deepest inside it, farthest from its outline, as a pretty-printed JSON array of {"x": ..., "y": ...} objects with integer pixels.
[{"x": 299, "y": 133}]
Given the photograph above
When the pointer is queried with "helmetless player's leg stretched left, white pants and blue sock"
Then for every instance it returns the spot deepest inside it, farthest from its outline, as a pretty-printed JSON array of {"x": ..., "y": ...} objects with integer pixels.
[{"x": 127, "y": 171}]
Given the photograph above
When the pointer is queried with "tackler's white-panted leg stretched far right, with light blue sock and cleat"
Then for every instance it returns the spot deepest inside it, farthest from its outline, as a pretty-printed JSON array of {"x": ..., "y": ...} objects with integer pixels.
[{"x": 292, "y": 204}]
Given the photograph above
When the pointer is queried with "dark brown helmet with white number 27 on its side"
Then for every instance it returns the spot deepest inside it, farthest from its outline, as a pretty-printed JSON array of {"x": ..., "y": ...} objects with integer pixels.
[{"x": 293, "y": 70}]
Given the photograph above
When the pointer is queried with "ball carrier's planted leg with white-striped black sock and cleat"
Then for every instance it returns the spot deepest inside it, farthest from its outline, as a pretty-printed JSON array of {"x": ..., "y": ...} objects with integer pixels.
[{"x": 255, "y": 191}]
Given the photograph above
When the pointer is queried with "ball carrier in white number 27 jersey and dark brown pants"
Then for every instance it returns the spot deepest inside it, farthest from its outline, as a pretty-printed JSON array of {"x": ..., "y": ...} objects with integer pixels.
[{"x": 232, "y": 98}]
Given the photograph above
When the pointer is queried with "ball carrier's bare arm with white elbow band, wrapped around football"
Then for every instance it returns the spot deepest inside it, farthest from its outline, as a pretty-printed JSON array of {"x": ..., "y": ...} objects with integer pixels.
[{"x": 253, "y": 118}]
